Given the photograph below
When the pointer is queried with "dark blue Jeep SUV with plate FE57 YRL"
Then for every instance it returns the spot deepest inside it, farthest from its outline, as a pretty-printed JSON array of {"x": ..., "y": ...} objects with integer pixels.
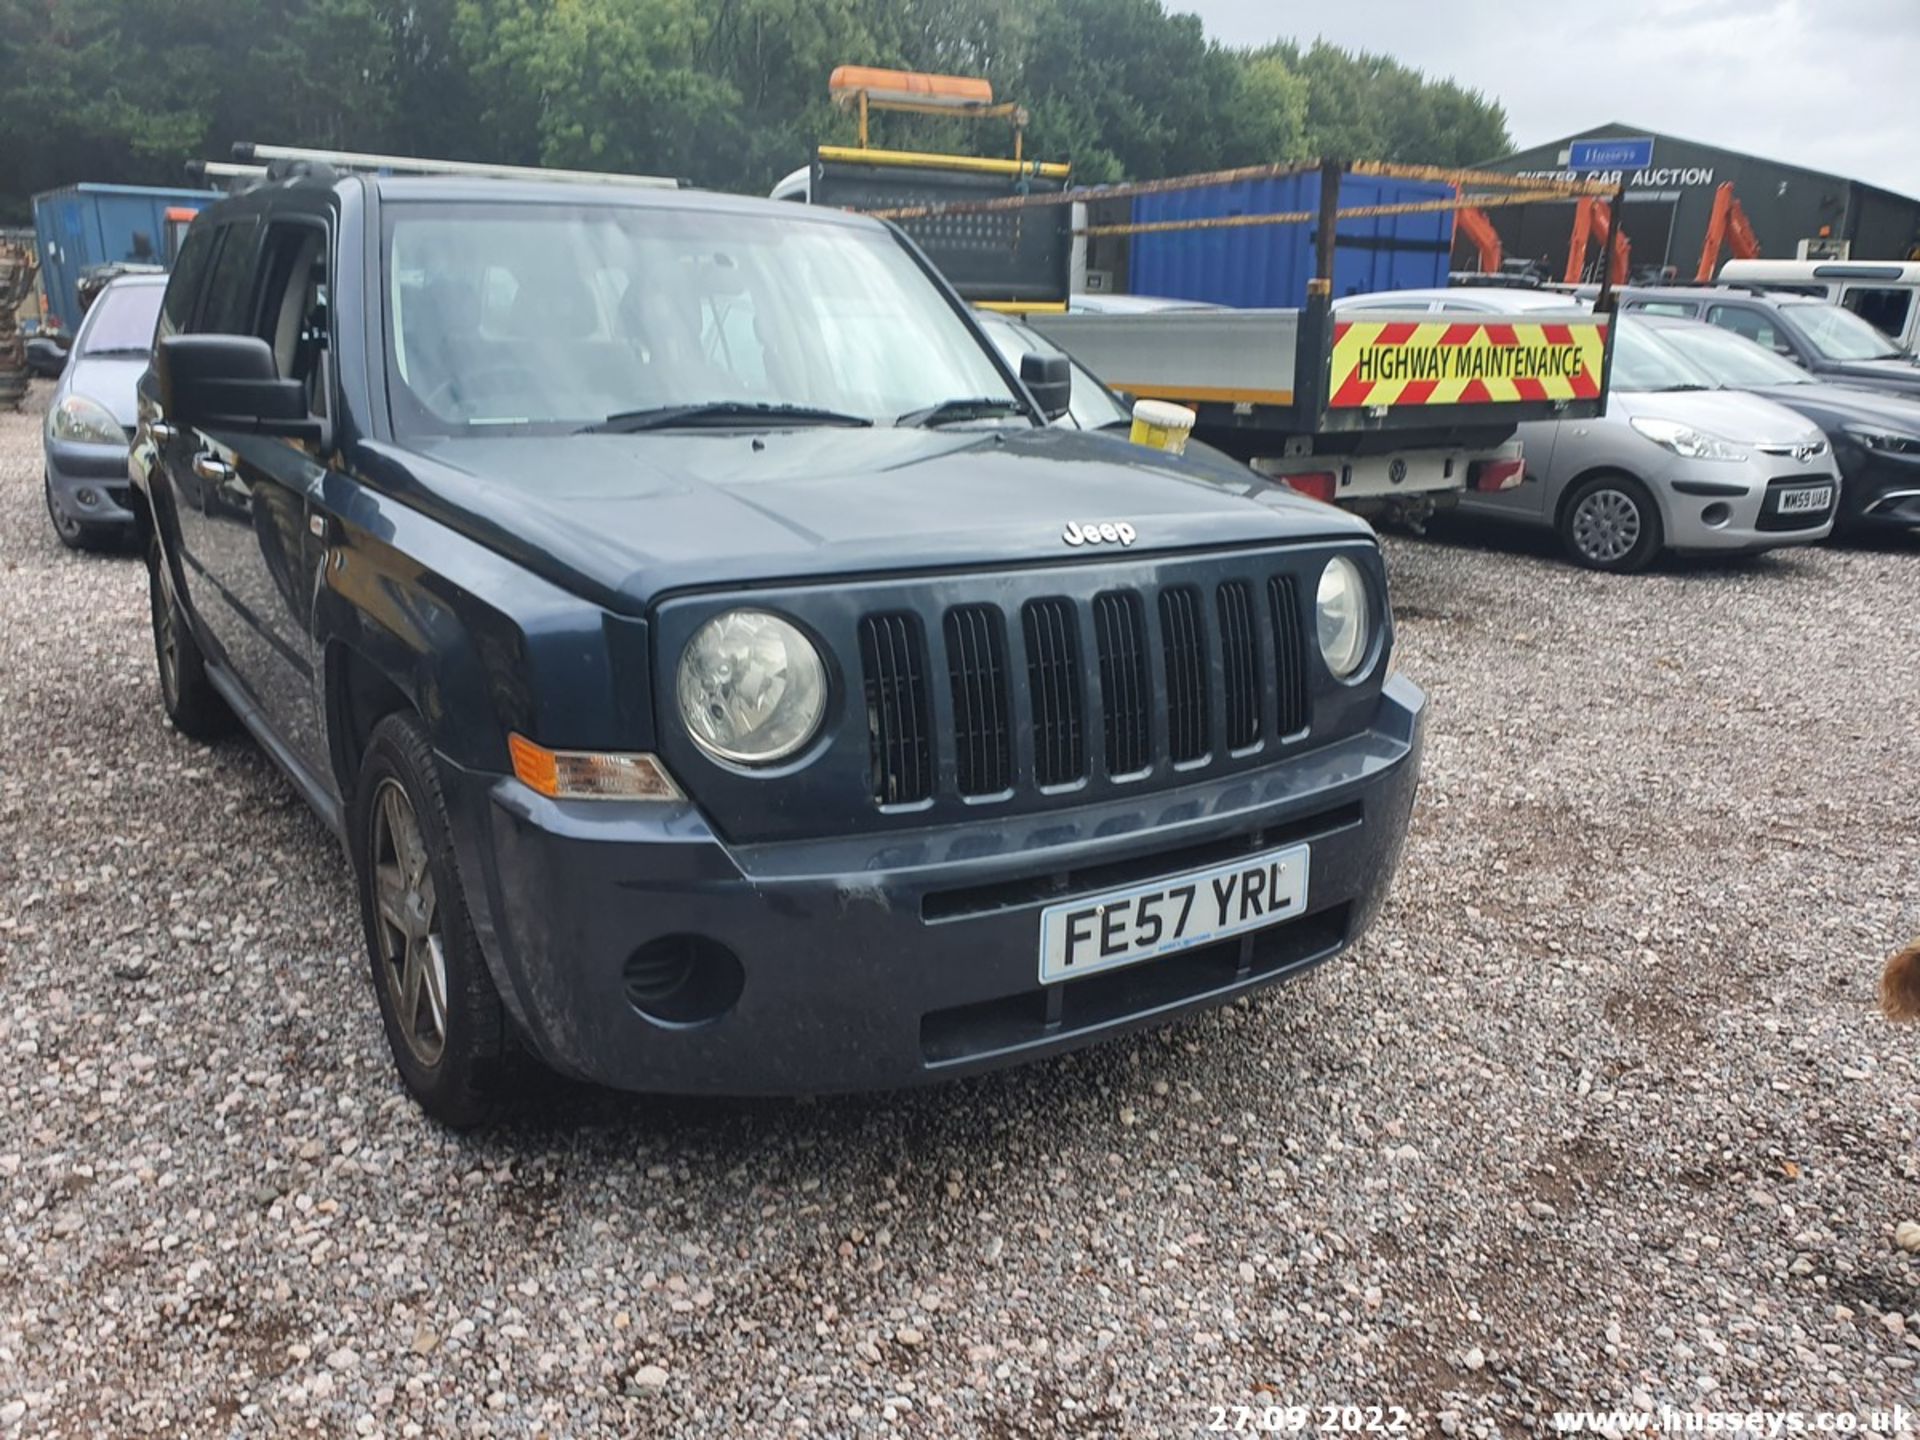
[{"x": 719, "y": 673}]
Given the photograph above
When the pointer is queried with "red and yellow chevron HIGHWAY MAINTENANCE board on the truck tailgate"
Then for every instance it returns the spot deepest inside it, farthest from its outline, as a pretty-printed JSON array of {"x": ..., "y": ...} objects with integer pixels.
[{"x": 1464, "y": 362}]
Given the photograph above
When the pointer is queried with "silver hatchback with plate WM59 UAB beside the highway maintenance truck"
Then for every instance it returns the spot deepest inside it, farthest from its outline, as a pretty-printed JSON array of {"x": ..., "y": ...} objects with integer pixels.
[{"x": 1673, "y": 466}]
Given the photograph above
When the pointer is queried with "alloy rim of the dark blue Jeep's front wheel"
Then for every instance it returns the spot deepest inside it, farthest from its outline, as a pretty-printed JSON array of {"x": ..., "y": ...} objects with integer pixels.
[{"x": 412, "y": 949}]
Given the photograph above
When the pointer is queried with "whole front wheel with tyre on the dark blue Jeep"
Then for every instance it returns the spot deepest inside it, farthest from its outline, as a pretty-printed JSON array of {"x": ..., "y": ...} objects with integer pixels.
[{"x": 444, "y": 1022}]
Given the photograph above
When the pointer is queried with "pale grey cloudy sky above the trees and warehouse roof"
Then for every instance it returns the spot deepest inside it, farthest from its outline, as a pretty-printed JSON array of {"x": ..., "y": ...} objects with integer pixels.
[{"x": 1823, "y": 84}]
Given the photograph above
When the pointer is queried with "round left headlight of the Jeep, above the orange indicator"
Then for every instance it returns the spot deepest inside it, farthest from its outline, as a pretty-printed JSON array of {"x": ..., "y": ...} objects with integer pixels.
[{"x": 752, "y": 688}]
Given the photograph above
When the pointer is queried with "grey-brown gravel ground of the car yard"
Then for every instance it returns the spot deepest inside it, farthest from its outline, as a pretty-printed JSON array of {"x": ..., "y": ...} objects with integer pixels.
[{"x": 1602, "y": 1109}]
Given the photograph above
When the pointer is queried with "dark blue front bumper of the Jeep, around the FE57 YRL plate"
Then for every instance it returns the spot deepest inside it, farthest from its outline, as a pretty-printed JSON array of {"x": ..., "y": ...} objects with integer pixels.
[{"x": 876, "y": 963}]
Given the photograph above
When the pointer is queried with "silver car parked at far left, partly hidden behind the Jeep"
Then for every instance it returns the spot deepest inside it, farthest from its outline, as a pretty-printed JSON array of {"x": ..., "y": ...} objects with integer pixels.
[{"x": 93, "y": 416}]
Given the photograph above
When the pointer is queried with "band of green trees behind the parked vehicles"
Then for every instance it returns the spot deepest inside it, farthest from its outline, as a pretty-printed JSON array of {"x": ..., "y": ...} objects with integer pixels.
[{"x": 731, "y": 93}]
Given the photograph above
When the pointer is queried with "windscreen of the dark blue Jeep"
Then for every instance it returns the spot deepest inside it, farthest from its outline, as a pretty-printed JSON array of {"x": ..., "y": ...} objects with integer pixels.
[{"x": 562, "y": 316}]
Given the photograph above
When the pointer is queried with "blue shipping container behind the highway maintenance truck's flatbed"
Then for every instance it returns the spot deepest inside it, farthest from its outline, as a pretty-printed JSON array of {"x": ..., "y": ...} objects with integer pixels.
[{"x": 1270, "y": 266}]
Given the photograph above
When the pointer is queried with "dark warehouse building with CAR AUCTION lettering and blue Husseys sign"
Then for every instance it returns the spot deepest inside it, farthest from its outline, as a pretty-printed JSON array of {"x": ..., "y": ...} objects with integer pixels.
[{"x": 1671, "y": 185}]
